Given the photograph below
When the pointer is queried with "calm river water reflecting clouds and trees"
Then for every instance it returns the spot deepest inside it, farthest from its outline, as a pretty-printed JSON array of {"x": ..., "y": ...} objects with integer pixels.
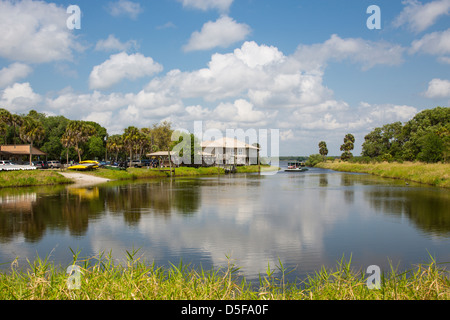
[{"x": 302, "y": 220}]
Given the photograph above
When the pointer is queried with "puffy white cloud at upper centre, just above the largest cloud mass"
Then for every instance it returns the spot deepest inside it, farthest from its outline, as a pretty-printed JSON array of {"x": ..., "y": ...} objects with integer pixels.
[{"x": 221, "y": 33}]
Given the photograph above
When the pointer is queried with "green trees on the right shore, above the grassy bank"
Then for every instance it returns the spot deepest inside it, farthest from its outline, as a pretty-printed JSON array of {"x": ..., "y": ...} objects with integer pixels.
[{"x": 426, "y": 138}]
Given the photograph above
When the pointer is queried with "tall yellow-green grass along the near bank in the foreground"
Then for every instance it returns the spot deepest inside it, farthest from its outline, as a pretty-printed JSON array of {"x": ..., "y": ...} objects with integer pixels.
[{"x": 101, "y": 278}]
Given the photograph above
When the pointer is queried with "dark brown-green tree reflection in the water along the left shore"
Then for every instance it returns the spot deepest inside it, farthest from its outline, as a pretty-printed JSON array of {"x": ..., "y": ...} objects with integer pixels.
[{"x": 31, "y": 212}]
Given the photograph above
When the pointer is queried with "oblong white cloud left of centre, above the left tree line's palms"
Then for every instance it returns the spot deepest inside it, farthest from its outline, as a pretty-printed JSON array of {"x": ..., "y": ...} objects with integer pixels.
[{"x": 122, "y": 66}]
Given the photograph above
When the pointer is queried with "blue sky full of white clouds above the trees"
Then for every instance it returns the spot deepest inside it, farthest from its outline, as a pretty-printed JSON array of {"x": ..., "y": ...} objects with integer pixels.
[{"x": 306, "y": 70}]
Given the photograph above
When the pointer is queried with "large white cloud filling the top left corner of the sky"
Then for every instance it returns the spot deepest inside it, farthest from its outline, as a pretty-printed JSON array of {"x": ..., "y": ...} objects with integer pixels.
[{"x": 35, "y": 32}]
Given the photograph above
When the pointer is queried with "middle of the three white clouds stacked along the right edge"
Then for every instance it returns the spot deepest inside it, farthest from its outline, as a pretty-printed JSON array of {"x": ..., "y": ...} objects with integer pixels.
[{"x": 435, "y": 43}]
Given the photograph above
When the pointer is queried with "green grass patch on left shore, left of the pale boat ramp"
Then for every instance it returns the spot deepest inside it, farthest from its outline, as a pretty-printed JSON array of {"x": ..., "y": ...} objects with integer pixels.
[{"x": 31, "y": 178}]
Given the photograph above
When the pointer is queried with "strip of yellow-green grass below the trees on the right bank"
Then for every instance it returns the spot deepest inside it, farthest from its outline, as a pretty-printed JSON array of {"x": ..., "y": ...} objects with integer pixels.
[{"x": 435, "y": 174}]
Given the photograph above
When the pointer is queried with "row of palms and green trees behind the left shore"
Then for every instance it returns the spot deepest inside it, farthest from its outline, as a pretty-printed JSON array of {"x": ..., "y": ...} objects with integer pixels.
[{"x": 65, "y": 139}]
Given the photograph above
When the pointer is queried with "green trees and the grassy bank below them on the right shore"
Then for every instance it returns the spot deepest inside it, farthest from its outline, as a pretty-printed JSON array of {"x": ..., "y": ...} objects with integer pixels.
[{"x": 418, "y": 150}]
